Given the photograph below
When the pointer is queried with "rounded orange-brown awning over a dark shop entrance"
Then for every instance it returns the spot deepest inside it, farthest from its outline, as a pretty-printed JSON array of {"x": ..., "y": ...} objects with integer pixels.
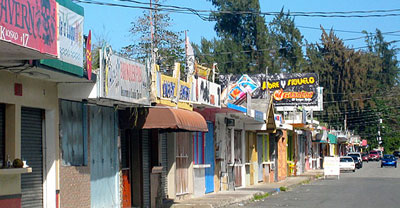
[{"x": 170, "y": 118}]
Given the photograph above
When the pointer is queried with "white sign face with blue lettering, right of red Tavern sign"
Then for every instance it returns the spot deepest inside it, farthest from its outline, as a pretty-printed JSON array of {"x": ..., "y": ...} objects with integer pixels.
[{"x": 70, "y": 38}]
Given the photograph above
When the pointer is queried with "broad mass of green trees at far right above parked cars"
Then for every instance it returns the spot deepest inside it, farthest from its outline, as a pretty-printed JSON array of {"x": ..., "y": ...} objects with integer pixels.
[{"x": 358, "y": 85}]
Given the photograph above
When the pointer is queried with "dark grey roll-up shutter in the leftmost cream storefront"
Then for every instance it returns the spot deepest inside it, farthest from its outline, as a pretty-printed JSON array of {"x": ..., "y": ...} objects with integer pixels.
[{"x": 31, "y": 151}]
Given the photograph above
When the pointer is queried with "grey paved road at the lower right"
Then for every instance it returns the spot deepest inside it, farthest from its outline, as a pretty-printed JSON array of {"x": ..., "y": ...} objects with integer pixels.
[{"x": 371, "y": 186}]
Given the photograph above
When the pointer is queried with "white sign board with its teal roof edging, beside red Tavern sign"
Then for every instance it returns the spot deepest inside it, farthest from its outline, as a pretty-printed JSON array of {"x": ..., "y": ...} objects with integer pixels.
[{"x": 70, "y": 38}]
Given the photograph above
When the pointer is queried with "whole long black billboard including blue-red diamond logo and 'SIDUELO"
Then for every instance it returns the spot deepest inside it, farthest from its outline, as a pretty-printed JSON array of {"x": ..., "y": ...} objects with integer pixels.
[{"x": 288, "y": 90}]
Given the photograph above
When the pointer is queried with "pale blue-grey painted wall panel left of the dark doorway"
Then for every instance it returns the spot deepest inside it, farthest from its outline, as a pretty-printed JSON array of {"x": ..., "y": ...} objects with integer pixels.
[{"x": 104, "y": 175}]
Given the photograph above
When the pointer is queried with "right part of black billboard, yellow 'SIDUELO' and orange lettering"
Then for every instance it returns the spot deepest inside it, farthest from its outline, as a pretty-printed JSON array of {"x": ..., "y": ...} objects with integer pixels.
[{"x": 294, "y": 89}]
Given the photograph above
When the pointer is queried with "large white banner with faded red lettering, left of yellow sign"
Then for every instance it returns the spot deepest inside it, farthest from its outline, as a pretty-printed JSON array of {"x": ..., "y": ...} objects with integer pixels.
[{"x": 122, "y": 79}]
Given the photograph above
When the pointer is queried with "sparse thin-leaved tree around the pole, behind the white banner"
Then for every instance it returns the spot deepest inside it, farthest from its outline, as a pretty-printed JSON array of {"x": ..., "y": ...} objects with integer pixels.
[{"x": 169, "y": 44}]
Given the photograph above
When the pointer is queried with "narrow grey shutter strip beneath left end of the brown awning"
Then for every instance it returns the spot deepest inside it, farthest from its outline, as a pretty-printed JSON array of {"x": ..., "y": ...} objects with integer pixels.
[{"x": 146, "y": 167}]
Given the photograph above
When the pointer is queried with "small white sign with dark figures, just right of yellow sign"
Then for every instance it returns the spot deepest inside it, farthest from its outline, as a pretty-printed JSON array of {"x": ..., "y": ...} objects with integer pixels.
[{"x": 207, "y": 93}]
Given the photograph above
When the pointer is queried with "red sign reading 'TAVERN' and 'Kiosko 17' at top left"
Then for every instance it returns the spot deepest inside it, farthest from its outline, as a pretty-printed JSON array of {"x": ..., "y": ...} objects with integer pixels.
[{"x": 30, "y": 23}]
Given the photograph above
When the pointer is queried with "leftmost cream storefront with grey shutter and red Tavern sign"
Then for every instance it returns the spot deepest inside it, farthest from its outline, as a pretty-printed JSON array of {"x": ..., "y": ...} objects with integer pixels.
[{"x": 28, "y": 111}]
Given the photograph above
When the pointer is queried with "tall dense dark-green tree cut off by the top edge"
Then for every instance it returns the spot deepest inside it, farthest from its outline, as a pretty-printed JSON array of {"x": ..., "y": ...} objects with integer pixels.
[{"x": 243, "y": 35}]
